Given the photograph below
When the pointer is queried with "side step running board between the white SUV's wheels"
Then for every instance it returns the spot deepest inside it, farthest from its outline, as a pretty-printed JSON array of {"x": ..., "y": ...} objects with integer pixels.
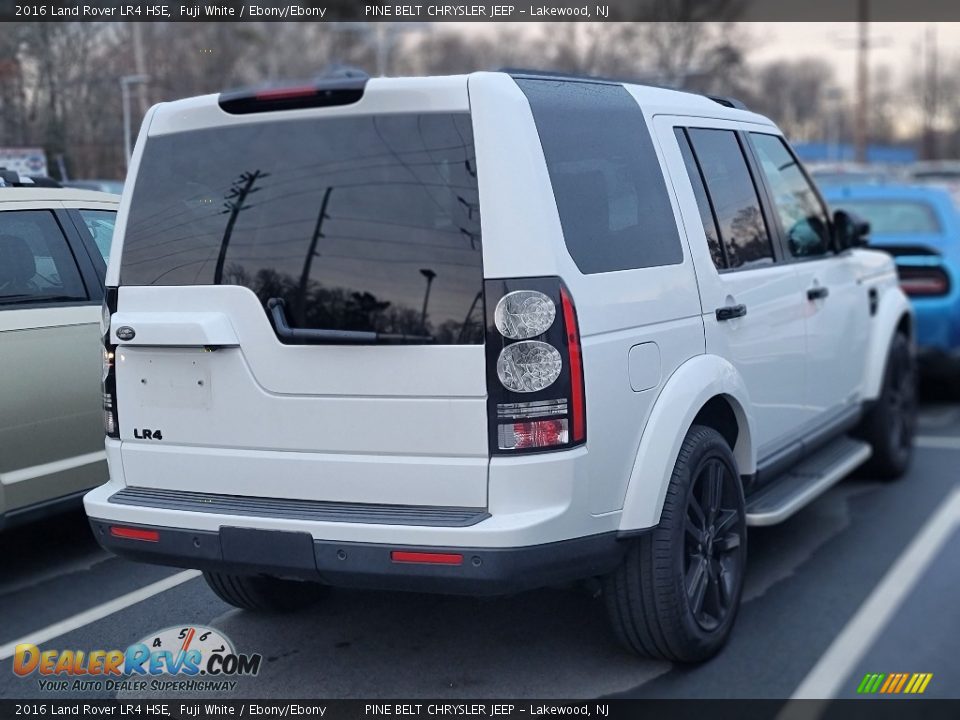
[{"x": 806, "y": 481}]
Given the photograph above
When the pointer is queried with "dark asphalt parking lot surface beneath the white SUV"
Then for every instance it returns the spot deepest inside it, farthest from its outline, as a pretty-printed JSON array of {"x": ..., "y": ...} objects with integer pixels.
[{"x": 809, "y": 580}]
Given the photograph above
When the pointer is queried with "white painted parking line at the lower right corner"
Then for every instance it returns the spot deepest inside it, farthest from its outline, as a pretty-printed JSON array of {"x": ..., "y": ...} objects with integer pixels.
[{"x": 850, "y": 646}]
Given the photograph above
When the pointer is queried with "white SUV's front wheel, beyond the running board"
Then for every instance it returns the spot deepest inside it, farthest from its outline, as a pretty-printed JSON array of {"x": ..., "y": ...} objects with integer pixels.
[{"x": 890, "y": 424}]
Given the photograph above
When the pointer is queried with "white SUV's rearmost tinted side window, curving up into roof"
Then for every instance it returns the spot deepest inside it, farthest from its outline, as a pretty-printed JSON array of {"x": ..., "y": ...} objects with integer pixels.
[{"x": 607, "y": 181}]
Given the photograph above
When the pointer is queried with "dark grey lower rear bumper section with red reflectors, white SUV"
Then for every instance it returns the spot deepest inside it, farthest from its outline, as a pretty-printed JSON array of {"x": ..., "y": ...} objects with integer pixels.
[{"x": 481, "y": 571}]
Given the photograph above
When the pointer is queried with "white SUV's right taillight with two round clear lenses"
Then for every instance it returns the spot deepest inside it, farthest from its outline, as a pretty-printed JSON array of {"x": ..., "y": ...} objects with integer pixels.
[{"x": 534, "y": 367}]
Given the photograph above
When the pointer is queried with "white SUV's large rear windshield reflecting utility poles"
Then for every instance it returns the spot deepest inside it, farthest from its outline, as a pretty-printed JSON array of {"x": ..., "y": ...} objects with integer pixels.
[{"x": 366, "y": 223}]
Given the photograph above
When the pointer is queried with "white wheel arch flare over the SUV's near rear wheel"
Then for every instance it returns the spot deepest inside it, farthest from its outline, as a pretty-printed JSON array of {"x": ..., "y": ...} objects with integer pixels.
[{"x": 704, "y": 390}]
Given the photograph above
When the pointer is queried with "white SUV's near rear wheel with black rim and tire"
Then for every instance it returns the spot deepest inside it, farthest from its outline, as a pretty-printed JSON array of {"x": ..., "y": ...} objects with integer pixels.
[{"x": 677, "y": 590}]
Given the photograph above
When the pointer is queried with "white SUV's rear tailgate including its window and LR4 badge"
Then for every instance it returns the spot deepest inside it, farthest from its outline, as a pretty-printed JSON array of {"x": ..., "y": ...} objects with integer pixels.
[{"x": 361, "y": 219}]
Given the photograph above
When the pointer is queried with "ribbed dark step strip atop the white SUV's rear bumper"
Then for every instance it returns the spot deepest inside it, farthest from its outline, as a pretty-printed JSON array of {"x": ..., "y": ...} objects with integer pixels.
[{"x": 293, "y": 509}]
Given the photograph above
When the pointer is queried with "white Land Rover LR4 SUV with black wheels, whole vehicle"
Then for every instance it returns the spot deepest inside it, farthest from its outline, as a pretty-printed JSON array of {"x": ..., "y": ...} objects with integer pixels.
[{"x": 483, "y": 333}]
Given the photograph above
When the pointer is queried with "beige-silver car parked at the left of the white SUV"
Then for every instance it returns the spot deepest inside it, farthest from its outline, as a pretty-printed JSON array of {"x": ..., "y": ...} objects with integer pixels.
[{"x": 53, "y": 250}]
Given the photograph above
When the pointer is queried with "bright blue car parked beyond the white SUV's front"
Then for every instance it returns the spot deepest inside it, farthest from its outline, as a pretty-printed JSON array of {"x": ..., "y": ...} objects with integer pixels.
[{"x": 920, "y": 227}]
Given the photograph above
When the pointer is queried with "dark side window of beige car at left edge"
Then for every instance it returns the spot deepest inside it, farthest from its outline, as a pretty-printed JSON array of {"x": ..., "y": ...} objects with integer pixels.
[{"x": 36, "y": 264}]
